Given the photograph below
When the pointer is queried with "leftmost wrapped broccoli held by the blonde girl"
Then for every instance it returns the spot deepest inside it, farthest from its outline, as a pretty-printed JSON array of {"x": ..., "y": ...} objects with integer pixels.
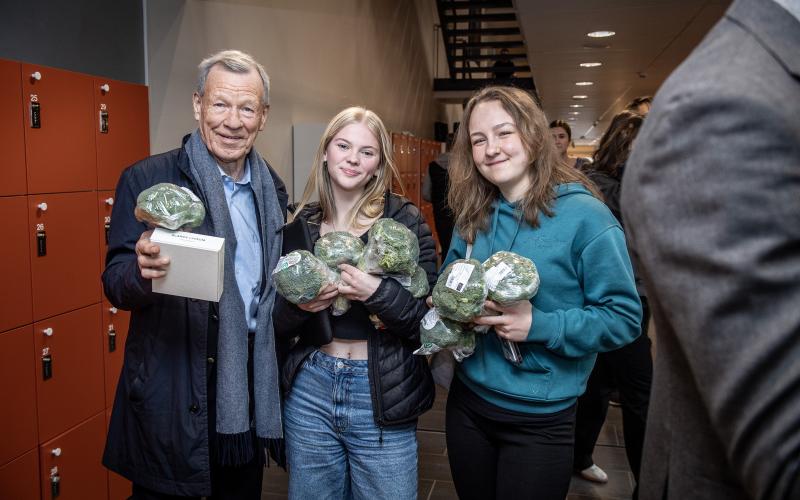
[{"x": 299, "y": 276}]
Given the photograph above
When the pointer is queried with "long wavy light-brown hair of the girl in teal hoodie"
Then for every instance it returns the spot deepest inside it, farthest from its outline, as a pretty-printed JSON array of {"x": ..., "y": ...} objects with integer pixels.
[{"x": 471, "y": 196}]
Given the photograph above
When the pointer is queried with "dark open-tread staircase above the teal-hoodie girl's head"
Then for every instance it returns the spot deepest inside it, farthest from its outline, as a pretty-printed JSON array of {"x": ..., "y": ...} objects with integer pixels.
[{"x": 474, "y": 34}]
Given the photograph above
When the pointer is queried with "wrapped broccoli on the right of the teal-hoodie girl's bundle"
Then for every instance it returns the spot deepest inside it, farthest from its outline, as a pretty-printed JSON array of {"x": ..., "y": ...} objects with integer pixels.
[{"x": 510, "y": 278}]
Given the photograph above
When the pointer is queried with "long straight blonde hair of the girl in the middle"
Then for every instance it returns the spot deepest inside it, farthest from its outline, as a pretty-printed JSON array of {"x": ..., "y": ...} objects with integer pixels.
[{"x": 370, "y": 204}]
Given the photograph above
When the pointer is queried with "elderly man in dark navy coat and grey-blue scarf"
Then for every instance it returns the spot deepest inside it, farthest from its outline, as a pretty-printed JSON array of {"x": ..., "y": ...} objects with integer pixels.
[{"x": 198, "y": 394}]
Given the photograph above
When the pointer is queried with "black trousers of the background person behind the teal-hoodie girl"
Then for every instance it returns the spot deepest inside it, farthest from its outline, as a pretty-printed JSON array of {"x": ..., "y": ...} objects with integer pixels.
[{"x": 630, "y": 370}]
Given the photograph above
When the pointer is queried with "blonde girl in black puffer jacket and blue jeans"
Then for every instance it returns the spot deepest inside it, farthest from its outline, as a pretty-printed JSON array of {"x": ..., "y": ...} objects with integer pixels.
[{"x": 352, "y": 399}]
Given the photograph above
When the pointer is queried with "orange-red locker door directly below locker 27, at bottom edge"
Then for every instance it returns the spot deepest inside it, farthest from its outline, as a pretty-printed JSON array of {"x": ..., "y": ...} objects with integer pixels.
[{"x": 74, "y": 458}]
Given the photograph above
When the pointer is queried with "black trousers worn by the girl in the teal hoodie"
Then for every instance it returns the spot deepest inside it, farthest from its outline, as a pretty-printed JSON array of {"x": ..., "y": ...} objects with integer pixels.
[{"x": 498, "y": 453}]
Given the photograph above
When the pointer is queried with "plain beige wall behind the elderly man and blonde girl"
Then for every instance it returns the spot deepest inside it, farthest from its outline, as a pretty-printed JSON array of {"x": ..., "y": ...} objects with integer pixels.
[{"x": 321, "y": 55}]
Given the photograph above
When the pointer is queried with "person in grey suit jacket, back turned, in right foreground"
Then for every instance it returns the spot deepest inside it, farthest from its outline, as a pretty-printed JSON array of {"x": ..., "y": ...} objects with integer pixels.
[{"x": 711, "y": 200}]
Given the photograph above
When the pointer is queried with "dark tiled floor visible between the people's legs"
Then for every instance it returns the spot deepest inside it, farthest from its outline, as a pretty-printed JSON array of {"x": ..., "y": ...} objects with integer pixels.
[{"x": 434, "y": 472}]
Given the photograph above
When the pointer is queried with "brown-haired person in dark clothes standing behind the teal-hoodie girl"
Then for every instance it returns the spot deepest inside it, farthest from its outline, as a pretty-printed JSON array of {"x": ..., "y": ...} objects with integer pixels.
[{"x": 630, "y": 368}]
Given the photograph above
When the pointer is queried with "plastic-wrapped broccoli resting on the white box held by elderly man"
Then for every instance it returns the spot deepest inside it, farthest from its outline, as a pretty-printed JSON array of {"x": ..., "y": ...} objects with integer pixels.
[{"x": 169, "y": 206}]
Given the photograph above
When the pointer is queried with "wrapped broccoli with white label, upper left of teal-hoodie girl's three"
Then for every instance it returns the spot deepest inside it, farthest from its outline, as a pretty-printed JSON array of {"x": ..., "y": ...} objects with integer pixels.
[{"x": 460, "y": 290}]
